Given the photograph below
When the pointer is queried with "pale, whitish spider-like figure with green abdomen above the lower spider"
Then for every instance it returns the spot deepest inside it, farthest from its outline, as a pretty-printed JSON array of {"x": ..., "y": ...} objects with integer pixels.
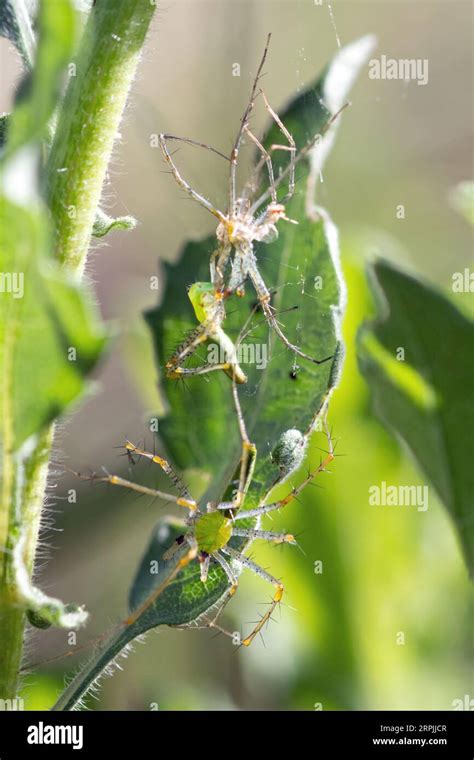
[{"x": 243, "y": 224}]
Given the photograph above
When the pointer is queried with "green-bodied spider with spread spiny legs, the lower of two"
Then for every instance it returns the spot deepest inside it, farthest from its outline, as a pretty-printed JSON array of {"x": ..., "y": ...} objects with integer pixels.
[{"x": 209, "y": 527}]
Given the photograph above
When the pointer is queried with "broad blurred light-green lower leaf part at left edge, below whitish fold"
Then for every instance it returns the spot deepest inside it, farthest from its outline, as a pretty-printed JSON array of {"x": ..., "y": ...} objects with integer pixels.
[{"x": 50, "y": 337}]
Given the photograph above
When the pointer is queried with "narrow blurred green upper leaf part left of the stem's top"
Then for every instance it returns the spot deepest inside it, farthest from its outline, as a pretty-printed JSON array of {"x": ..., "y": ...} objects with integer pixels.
[{"x": 39, "y": 92}]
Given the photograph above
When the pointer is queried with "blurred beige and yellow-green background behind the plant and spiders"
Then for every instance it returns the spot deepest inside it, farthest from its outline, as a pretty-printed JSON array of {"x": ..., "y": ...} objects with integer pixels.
[{"x": 386, "y": 570}]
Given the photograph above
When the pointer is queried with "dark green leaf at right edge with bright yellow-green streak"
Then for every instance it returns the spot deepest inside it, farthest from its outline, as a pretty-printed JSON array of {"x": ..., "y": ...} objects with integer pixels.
[{"x": 427, "y": 398}]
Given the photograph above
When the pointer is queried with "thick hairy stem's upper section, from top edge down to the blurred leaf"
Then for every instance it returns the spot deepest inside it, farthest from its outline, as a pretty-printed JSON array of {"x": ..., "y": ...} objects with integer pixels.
[{"x": 89, "y": 121}]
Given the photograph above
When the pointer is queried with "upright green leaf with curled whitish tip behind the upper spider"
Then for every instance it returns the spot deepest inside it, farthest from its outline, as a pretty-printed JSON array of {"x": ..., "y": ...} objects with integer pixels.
[{"x": 201, "y": 422}]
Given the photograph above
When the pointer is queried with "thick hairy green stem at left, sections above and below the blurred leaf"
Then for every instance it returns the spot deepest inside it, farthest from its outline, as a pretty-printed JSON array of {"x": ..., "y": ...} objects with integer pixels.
[{"x": 107, "y": 58}]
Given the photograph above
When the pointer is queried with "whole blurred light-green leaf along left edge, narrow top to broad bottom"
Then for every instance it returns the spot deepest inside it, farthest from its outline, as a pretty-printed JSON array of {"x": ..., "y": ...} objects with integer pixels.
[{"x": 50, "y": 337}]
